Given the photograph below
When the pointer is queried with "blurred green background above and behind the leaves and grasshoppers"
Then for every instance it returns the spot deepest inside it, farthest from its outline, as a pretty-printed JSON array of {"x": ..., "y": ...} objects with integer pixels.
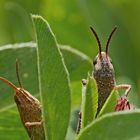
[{"x": 70, "y": 21}]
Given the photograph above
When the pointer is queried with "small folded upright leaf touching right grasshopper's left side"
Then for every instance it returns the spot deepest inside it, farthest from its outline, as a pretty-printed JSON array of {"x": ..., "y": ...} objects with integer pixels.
[{"x": 89, "y": 101}]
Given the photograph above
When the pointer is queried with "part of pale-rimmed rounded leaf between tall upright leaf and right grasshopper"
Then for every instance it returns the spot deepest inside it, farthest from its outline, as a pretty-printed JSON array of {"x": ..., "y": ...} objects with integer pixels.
[{"x": 78, "y": 64}]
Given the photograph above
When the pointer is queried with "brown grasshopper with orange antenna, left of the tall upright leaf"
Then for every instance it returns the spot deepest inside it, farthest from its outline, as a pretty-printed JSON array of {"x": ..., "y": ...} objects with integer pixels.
[{"x": 29, "y": 109}]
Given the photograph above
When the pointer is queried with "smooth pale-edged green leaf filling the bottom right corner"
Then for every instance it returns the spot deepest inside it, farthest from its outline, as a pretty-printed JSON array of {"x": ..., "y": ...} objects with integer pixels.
[{"x": 114, "y": 126}]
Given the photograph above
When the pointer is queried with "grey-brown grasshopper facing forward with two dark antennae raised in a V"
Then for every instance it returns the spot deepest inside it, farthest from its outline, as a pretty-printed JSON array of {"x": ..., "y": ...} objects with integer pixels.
[{"x": 103, "y": 73}]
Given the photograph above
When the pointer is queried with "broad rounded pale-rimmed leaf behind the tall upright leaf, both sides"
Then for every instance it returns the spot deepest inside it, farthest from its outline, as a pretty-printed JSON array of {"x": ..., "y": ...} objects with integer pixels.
[{"x": 26, "y": 53}]
